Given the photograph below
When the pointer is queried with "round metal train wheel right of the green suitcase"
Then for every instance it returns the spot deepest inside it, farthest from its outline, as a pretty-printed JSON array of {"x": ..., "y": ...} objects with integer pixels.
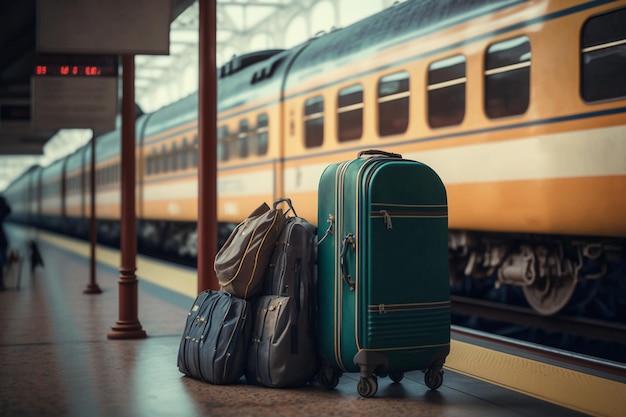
[{"x": 549, "y": 296}]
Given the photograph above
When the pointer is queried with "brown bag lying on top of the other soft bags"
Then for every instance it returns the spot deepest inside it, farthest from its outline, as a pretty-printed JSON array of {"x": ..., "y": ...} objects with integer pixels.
[{"x": 241, "y": 263}]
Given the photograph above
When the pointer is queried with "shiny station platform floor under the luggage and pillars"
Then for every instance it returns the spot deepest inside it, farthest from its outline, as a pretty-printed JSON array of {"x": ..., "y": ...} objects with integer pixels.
[{"x": 56, "y": 360}]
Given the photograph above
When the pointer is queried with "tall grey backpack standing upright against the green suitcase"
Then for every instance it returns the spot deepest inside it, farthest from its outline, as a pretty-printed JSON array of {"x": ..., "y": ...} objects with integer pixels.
[{"x": 283, "y": 346}]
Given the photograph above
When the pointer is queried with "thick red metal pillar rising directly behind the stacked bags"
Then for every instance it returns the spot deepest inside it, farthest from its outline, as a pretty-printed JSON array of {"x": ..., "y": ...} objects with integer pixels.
[{"x": 207, "y": 148}]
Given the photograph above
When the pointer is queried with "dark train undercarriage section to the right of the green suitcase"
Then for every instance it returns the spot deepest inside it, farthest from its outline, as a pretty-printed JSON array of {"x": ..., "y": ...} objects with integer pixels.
[{"x": 548, "y": 269}]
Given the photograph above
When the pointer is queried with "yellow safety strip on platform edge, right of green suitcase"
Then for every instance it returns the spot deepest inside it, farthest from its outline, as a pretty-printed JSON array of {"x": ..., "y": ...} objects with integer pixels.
[{"x": 568, "y": 388}]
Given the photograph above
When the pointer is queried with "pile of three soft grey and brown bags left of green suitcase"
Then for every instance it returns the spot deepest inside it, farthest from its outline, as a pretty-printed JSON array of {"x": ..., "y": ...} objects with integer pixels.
[{"x": 262, "y": 323}]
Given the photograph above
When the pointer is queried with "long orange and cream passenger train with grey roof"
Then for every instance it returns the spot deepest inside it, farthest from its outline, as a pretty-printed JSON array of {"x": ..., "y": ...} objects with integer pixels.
[{"x": 518, "y": 105}]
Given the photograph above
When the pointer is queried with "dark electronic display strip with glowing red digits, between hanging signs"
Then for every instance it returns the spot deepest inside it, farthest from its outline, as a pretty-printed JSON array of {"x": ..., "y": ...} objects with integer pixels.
[{"x": 82, "y": 65}]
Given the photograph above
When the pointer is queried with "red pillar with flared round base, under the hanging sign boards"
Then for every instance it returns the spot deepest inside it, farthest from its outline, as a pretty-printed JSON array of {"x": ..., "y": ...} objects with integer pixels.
[{"x": 128, "y": 326}]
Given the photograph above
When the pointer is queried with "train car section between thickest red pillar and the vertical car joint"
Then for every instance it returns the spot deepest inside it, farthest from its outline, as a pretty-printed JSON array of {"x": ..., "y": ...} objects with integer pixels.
[{"x": 250, "y": 144}]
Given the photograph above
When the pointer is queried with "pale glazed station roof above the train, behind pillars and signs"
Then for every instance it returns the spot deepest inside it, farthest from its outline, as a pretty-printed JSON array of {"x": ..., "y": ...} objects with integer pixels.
[{"x": 240, "y": 25}]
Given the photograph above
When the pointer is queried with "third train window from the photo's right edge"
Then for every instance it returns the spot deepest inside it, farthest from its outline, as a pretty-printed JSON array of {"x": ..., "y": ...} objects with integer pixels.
[{"x": 446, "y": 91}]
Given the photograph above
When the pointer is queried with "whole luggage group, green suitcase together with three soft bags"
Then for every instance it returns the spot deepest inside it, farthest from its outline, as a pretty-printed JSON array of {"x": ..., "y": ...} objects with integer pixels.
[{"x": 378, "y": 291}]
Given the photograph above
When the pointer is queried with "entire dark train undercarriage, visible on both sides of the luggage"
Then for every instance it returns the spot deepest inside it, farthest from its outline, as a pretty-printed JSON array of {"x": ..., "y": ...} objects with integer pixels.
[{"x": 551, "y": 274}]
